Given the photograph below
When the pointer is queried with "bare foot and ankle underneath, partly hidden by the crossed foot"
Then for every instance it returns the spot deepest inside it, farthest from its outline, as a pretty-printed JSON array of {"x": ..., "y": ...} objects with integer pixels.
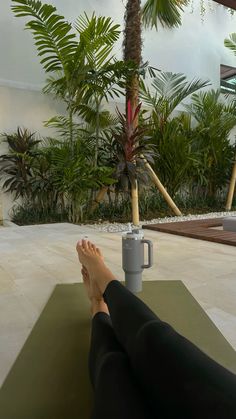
[{"x": 98, "y": 304}]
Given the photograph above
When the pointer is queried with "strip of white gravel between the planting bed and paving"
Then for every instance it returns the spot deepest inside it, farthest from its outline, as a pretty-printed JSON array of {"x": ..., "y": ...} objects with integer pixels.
[{"x": 107, "y": 227}]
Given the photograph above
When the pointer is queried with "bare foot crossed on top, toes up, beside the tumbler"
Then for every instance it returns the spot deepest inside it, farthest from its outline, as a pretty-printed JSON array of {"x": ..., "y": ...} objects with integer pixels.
[{"x": 91, "y": 258}]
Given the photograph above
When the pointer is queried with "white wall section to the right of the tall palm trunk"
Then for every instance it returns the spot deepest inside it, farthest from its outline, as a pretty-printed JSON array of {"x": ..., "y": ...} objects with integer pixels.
[{"x": 196, "y": 48}]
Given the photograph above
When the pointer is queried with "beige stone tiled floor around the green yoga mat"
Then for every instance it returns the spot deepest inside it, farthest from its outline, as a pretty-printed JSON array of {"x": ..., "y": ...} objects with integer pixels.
[{"x": 34, "y": 258}]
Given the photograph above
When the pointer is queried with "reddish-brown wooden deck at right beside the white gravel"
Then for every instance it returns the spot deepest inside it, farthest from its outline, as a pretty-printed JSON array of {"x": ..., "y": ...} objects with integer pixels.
[{"x": 197, "y": 229}]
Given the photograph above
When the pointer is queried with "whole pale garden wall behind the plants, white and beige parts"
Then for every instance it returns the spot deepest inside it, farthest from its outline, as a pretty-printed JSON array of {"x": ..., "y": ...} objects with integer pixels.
[{"x": 195, "y": 49}]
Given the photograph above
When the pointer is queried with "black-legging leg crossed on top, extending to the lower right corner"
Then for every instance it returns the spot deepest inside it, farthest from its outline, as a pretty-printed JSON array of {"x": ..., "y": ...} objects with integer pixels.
[{"x": 179, "y": 379}]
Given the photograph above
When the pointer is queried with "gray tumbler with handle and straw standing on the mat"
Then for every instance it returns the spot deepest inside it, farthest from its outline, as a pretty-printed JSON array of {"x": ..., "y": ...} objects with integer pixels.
[{"x": 133, "y": 258}]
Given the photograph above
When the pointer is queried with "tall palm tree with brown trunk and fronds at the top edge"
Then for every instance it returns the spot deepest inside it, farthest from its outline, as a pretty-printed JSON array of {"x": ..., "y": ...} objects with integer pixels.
[{"x": 155, "y": 12}]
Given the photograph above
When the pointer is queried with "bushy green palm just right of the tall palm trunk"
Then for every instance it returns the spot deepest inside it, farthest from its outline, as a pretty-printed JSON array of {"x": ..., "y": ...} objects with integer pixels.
[{"x": 171, "y": 134}]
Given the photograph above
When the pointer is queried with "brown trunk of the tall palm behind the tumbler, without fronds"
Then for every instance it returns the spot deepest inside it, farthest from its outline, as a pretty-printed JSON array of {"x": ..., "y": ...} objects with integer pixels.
[{"x": 132, "y": 51}]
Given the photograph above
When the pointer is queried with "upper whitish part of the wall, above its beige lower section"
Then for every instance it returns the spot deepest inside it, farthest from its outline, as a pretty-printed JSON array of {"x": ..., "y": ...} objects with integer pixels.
[{"x": 195, "y": 48}]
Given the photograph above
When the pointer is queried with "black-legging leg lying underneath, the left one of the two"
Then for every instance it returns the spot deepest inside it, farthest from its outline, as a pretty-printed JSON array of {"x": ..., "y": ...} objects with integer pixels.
[{"x": 116, "y": 393}]
